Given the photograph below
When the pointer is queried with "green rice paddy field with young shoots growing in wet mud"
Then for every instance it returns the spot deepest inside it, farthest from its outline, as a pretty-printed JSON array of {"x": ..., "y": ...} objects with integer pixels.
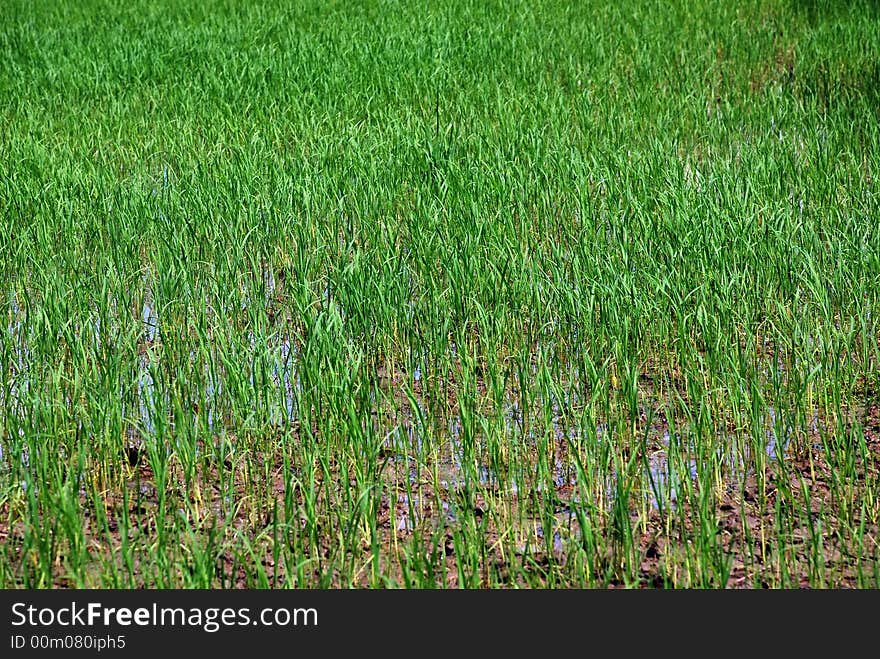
[{"x": 454, "y": 294}]
